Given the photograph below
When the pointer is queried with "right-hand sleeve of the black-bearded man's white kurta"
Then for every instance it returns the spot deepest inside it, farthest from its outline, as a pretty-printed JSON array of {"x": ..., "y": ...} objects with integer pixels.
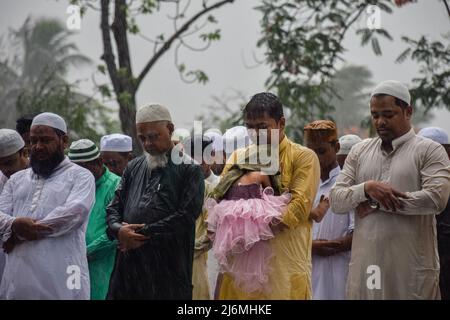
[{"x": 75, "y": 210}]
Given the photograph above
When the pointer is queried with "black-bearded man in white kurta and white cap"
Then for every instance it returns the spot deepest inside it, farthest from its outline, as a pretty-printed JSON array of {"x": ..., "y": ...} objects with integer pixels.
[{"x": 55, "y": 197}]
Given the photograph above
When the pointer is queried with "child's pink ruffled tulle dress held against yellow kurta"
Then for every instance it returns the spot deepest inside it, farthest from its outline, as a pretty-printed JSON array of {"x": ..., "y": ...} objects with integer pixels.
[{"x": 240, "y": 224}]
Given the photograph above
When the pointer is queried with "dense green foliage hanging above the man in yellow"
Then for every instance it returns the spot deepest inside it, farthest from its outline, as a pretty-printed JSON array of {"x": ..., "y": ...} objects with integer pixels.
[{"x": 304, "y": 42}]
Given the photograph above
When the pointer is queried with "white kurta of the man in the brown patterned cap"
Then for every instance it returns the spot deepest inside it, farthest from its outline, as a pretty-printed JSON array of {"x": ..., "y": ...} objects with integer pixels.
[{"x": 329, "y": 274}]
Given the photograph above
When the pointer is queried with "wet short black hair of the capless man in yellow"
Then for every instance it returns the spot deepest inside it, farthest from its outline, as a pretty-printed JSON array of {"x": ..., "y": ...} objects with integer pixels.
[{"x": 264, "y": 103}]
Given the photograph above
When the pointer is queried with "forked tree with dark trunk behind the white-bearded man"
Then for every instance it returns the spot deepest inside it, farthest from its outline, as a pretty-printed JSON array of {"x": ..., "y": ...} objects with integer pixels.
[{"x": 118, "y": 21}]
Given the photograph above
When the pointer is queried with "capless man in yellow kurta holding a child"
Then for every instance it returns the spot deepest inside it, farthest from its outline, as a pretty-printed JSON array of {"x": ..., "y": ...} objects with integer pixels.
[{"x": 290, "y": 276}]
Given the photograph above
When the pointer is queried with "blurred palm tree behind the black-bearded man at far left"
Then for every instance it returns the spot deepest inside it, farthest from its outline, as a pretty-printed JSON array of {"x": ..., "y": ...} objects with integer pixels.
[{"x": 34, "y": 80}]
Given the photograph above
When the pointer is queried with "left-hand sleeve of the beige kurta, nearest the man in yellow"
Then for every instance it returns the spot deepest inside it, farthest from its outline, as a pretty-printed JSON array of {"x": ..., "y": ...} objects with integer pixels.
[{"x": 345, "y": 195}]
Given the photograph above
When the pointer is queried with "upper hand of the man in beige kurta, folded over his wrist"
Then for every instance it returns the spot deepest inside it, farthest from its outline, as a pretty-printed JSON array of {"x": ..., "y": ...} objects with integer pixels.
[{"x": 387, "y": 196}]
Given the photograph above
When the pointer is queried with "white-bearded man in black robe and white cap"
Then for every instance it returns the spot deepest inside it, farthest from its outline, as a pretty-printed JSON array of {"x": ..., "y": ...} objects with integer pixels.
[{"x": 153, "y": 216}]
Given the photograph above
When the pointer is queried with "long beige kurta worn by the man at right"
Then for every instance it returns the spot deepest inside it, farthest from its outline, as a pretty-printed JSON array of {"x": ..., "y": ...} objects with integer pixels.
[{"x": 403, "y": 243}]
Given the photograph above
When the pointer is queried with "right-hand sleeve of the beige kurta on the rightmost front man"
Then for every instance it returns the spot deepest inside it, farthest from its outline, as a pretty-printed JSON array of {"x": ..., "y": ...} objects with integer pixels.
[{"x": 435, "y": 177}]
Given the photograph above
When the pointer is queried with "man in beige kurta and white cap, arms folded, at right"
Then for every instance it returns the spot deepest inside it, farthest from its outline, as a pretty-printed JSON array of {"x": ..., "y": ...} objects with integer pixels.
[{"x": 397, "y": 183}]
